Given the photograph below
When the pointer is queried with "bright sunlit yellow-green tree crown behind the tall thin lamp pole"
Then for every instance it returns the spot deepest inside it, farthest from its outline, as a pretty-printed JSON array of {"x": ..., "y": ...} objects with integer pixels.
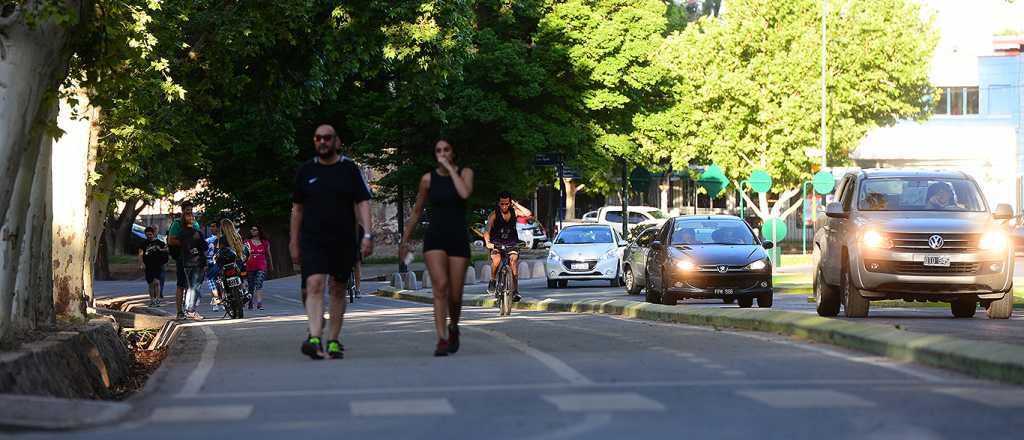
[{"x": 747, "y": 87}]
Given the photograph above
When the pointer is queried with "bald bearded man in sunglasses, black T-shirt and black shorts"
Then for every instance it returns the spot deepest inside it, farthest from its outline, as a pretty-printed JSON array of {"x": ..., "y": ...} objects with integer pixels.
[{"x": 330, "y": 194}]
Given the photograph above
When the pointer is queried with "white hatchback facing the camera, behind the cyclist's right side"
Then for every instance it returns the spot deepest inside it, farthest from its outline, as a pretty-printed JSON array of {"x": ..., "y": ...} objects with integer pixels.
[{"x": 585, "y": 252}]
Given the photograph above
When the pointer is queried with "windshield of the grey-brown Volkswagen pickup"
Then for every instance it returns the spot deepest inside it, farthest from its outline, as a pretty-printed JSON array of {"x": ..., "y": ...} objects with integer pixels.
[{"x": 919, "y": 194}]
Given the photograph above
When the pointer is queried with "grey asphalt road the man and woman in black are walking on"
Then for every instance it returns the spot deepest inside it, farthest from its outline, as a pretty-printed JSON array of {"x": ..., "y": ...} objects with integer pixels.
[{"x": 542, "y": 376}]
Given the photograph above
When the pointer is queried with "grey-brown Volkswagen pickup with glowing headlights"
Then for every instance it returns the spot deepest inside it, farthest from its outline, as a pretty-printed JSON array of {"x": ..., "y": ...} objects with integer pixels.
[{"x": 914, "y": 236}]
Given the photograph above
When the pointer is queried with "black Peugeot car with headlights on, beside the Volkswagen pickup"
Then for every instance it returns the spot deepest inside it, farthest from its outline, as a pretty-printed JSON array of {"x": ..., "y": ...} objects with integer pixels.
[{"x": 709, "y": 257}]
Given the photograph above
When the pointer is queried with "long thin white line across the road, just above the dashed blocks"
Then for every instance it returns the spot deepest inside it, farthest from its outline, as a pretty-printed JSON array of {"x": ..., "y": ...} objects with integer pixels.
[{"x": 249, "y": 395}]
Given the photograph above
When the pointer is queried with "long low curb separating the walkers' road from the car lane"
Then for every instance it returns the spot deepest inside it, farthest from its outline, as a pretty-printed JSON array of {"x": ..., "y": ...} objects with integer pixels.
[{"x": 991, "y": 361}]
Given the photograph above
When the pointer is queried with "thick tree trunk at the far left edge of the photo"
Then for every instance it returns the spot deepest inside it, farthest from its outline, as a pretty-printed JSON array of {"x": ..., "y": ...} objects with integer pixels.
[{"x": 33, "y": 63}]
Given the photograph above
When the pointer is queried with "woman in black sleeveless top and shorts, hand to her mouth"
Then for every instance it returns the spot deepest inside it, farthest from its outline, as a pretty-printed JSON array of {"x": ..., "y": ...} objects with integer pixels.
[{"x": 446, "y": 246}]
